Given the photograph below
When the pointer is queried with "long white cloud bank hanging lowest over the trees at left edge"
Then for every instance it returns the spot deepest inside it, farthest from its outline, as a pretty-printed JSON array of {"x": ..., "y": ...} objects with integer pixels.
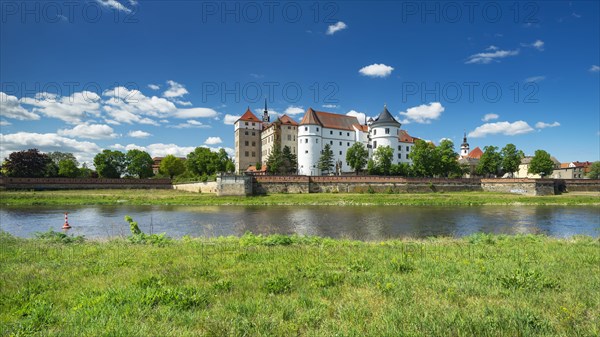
[{"x": 46, "y": 142}]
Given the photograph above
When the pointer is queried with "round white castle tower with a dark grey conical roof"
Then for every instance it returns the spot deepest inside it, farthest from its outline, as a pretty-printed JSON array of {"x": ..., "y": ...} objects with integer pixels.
[{"x": 384, "y": 131}]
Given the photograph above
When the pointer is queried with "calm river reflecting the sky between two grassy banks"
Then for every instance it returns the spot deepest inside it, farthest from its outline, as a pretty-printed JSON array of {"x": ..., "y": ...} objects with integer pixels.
[{"x": 352, "y": 222}]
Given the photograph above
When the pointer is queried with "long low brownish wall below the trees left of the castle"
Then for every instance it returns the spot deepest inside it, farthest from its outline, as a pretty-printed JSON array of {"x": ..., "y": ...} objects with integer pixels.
[{"x": 81, "y": 183}]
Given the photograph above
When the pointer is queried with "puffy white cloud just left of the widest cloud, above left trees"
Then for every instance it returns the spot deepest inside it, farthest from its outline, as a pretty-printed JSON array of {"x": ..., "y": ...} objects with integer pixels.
[{"x": 71, "y": 109}]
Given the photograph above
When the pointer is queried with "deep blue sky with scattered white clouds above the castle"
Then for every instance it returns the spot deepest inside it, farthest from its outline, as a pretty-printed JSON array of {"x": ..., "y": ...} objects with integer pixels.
[{"x": 168, "y": 76}]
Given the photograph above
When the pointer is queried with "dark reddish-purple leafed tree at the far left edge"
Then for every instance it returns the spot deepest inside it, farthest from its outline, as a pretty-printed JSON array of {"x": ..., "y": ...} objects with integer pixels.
[{"x": 30, "y": 164}]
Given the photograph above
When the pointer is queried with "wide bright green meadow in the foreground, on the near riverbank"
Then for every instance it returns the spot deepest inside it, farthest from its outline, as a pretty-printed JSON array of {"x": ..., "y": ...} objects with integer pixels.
[{"x": 482, "y": 285}]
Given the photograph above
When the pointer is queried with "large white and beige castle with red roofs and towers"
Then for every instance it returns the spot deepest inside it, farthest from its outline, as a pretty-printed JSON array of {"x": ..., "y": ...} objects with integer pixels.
[{"x": 255, "y": 139}]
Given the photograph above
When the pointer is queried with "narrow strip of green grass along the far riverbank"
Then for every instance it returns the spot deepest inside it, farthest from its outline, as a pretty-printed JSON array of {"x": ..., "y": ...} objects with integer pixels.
[{"x": 173, "y": 197}]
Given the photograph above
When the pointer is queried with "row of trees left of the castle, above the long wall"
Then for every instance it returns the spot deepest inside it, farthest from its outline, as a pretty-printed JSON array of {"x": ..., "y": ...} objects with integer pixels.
[{"x": 199, "y": 164}]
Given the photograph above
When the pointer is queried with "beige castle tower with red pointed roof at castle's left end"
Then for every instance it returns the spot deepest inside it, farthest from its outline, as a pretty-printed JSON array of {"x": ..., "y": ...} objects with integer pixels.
[{"x": 247, "y": 141}]
